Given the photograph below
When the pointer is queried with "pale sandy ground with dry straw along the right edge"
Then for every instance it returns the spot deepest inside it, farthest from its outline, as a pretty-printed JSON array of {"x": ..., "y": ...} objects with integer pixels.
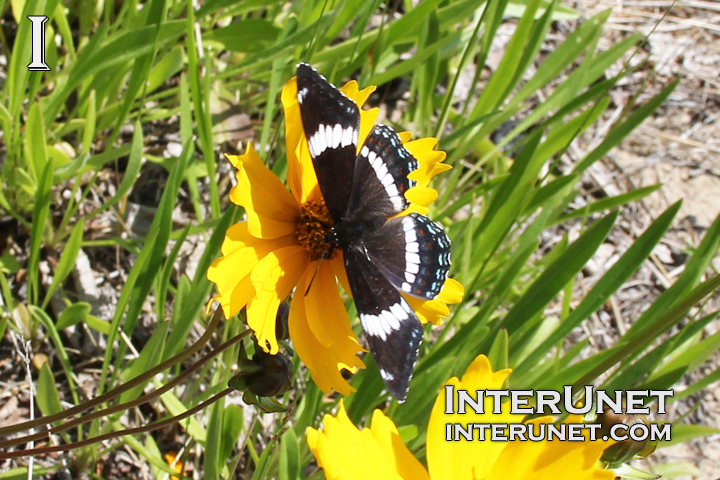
[{"x": 680, "y": 148}]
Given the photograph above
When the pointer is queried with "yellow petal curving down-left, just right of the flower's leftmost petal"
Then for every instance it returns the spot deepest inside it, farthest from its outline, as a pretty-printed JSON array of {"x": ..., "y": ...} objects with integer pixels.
[{"x": 273, "y": 277}]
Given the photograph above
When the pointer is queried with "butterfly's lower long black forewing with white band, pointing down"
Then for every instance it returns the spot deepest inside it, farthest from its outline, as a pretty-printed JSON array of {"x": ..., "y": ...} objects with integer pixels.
[{"x": 392, "y": 330}]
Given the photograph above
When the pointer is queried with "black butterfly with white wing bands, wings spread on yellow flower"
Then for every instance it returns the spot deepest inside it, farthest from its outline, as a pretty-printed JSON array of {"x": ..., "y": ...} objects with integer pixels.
[{"x": 383, "y": 256}]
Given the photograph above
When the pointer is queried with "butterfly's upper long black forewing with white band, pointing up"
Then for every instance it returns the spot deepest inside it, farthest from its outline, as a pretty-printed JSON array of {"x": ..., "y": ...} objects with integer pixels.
[{"x": 331, "y": 122}]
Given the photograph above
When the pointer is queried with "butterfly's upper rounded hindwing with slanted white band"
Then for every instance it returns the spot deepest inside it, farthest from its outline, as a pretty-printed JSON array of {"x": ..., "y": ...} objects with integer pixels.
[{"x": 381, "y": 171}]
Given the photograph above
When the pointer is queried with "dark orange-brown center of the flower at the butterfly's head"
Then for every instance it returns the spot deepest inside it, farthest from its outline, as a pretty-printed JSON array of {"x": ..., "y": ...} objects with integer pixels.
[{"x": 312, "y": 227}]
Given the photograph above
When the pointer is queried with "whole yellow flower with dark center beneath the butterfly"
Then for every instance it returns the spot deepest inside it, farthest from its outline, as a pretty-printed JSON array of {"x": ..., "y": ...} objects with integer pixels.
[{"x": 275, "y": 250}]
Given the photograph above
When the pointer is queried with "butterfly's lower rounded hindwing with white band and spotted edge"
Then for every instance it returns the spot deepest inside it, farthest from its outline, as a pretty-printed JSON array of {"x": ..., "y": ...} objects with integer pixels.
[{"x": 413, "y": 253}]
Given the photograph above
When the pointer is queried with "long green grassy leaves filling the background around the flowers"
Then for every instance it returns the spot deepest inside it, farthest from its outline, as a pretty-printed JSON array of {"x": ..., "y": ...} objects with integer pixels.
[{"x": 135, "y": 66}]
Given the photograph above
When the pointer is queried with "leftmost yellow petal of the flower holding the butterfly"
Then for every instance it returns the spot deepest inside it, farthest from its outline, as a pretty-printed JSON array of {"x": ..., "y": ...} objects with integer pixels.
[{"x": 231, "y": 272}]
